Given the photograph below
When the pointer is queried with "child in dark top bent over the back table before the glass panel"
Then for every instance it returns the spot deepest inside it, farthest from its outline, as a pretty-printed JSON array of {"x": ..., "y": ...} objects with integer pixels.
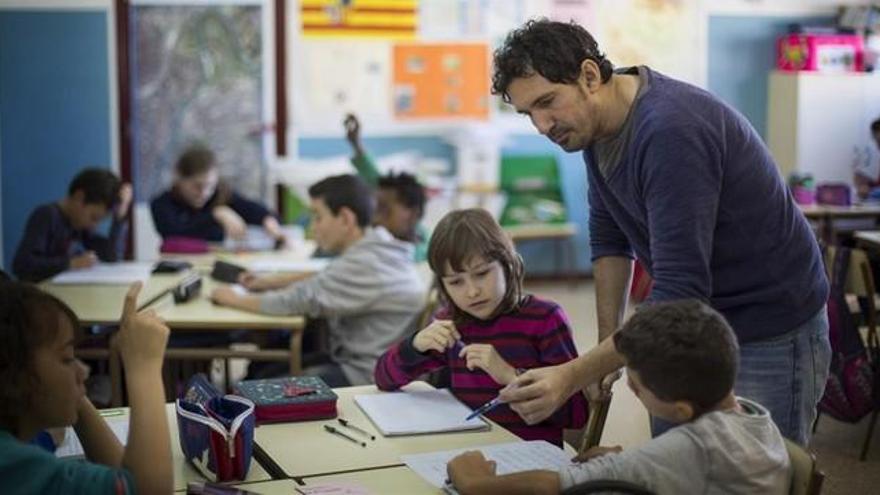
[{"x": 201, "y": 206}]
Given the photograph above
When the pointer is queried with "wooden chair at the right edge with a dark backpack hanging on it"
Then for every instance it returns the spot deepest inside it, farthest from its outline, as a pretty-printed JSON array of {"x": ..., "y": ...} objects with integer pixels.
[{"x": 862, "y": 298}]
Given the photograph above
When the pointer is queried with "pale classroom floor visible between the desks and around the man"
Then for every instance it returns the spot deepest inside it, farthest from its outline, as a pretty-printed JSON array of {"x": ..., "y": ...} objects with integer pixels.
[{"x": 837, "y": 445}]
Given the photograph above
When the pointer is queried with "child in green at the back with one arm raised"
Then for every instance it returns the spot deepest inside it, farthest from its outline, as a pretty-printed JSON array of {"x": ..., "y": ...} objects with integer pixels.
[{"x": 400, "y": 199}]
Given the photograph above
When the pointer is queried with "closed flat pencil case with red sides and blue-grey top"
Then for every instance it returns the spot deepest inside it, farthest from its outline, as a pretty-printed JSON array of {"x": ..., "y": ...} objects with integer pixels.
[{"x": 292, "y": 398}]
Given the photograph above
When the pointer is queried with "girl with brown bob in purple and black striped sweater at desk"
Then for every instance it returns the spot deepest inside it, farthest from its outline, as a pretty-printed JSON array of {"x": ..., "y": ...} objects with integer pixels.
[{"x": 489, "y": 332}]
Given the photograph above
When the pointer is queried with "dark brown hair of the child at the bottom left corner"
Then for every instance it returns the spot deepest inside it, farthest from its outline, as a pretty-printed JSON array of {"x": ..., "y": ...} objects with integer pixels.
[{"x": 29, "y": 320}]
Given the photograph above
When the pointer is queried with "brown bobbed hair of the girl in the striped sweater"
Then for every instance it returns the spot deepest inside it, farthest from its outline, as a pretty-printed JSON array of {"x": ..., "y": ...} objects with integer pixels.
[{"x": 464, "y": 234}]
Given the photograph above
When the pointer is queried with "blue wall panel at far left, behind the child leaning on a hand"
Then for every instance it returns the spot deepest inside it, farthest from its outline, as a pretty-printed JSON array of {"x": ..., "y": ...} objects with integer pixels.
[{"x": 54, "y": 108}]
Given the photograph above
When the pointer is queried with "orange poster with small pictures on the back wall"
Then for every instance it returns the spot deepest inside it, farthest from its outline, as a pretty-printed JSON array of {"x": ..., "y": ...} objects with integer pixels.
[{"x": 441, "y": 80}]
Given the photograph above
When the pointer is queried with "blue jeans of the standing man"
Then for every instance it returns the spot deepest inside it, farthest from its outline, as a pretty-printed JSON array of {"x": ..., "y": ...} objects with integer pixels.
[{"x": 786, "y": 375}]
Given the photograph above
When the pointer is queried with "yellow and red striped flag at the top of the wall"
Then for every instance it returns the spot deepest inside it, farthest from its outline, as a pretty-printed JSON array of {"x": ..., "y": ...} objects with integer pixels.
[{"x": 387, "y": 19}]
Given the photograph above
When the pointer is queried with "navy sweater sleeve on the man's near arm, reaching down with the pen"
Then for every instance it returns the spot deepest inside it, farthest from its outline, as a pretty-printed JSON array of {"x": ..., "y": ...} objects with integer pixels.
[{"x": 681, "y": 178}]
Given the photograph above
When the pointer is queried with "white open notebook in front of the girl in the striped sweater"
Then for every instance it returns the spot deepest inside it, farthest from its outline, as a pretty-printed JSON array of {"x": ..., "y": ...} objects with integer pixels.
[{"x": 417, "y": 412}]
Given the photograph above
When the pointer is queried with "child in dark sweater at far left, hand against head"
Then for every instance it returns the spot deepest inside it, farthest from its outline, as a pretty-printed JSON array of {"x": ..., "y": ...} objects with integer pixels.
[{"x": 61, "y": 235}]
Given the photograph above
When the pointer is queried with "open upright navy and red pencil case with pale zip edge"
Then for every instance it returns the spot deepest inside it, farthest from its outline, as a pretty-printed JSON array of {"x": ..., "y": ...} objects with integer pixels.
[{"x": 216, "y": 431}]
